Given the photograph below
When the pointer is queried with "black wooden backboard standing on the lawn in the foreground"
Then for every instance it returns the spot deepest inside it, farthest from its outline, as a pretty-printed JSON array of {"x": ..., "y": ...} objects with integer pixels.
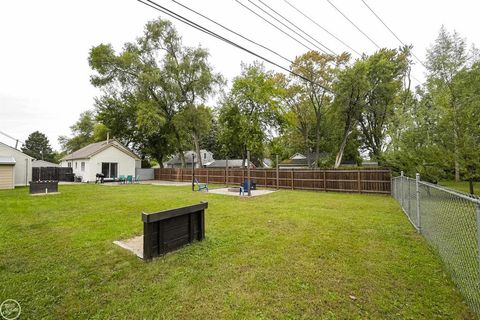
[{"x": 168, "y": 230}]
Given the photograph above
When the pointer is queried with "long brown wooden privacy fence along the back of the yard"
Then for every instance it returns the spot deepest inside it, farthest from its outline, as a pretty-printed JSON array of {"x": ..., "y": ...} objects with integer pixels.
[{"x": 361, "y": 180}]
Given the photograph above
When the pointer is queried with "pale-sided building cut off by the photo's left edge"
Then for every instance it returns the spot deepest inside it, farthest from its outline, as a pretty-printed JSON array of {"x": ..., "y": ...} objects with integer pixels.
[{"x": 15, "y": 167}]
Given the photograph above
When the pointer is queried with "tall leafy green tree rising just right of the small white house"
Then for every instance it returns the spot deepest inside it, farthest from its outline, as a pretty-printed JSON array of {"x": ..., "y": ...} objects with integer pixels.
[{"x": 158, "y": 77}]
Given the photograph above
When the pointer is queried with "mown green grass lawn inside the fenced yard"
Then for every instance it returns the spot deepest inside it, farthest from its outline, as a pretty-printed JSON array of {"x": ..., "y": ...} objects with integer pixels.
[{"x": 288, "y": 255}]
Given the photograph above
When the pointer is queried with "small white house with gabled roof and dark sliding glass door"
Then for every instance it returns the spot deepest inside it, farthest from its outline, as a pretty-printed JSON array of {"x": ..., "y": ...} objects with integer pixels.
[{"x": 109, "y": 157}]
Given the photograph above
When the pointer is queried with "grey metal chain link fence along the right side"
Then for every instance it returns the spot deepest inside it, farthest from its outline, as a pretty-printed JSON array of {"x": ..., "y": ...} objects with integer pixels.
[{"x": 450, "y": 221}]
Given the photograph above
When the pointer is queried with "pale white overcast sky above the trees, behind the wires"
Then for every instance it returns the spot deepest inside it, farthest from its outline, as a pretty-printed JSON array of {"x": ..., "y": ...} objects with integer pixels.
[{"x": 44, "y": 73}]
